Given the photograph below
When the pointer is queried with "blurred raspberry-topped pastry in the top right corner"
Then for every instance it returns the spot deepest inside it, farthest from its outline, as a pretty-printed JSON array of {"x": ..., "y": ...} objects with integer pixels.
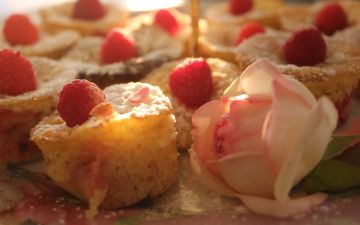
[{"x": 328, "y": 16}]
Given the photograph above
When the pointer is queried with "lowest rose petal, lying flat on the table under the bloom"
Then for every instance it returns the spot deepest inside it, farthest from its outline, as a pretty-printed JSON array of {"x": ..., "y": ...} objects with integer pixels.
[{"x": 283, "y": 209}]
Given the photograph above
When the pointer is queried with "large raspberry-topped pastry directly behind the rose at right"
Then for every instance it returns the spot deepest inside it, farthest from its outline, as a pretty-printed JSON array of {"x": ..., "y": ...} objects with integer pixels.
[{"x": 327, "y": 66}]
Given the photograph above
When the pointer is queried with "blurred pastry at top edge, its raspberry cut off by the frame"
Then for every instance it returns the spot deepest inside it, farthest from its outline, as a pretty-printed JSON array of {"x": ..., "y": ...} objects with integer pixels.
[{"x": 237, "y": 12}]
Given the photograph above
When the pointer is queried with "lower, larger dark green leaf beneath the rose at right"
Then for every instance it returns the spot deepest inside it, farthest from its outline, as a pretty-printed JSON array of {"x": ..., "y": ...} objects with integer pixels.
[{"x": 332, "y": 175}]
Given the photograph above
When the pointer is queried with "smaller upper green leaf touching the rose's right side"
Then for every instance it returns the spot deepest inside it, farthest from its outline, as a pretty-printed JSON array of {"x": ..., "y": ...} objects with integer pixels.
[{"x": 338, "y": 145}]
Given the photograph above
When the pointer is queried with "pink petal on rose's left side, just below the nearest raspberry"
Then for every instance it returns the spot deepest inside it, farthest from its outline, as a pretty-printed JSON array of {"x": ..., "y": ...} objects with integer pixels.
[{"x": 204, "y": 121}]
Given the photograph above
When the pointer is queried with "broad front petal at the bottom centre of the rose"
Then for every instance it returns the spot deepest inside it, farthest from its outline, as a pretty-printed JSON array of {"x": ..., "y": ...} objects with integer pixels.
[{"x": 248, "y": 173}]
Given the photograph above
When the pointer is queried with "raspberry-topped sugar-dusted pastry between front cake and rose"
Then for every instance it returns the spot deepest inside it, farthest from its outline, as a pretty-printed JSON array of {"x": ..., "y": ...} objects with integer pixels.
[{"x": 189, "y": 83}]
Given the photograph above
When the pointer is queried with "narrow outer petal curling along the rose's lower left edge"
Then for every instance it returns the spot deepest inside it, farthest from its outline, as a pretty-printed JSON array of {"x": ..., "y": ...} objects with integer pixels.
[{"x": 209, "y": 179}]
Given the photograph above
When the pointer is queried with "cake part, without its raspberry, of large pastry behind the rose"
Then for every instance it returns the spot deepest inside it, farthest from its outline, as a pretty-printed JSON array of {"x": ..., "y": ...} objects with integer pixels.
[{"x": 336, "y": 78}]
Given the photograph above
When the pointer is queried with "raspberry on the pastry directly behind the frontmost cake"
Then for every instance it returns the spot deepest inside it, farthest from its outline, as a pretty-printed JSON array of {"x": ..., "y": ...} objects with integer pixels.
[{"x": 117, "y": 47}]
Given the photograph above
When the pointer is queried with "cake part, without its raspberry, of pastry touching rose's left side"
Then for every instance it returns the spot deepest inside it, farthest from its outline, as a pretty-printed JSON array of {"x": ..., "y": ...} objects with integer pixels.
[{"x": 223, "y": 73}]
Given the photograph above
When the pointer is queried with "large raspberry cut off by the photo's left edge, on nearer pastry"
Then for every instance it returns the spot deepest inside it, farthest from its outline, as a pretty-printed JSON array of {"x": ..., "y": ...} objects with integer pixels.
[{"x": 16, "y": 73}]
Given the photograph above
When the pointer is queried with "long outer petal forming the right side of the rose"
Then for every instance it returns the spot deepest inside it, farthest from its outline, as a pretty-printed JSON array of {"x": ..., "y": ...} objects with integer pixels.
[{"x": 310, "y": 148}]
